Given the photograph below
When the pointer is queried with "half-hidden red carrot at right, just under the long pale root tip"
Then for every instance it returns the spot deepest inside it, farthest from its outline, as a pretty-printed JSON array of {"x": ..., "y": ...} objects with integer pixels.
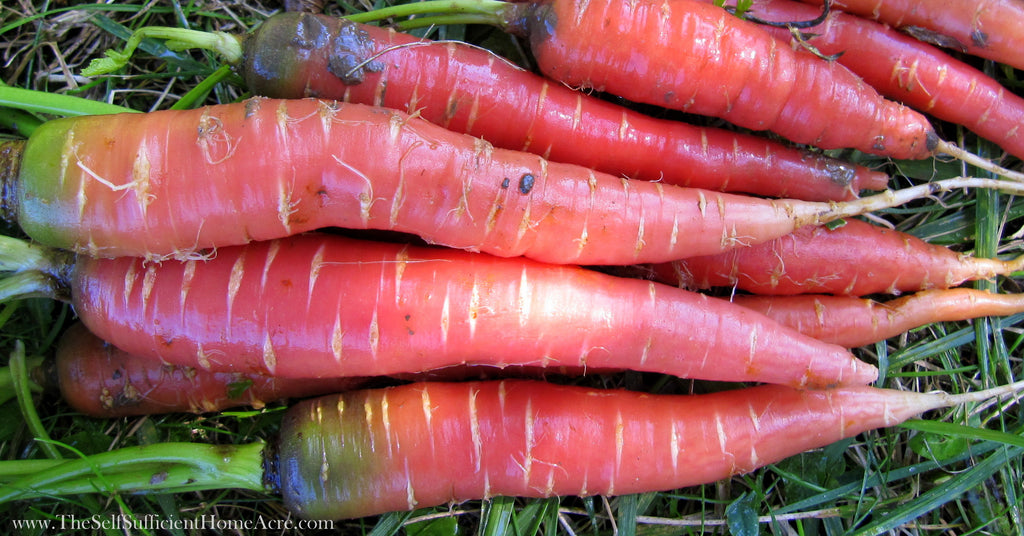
[{"x": 858, "y": 259}]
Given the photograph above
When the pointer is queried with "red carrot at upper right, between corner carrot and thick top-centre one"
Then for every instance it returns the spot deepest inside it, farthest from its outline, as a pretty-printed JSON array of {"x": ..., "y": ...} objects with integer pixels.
[{"x": 910, "y": 71}]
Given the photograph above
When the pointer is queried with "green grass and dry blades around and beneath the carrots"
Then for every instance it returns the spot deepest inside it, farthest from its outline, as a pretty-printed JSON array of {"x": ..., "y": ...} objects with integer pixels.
[{"x": 930, "y": 478}]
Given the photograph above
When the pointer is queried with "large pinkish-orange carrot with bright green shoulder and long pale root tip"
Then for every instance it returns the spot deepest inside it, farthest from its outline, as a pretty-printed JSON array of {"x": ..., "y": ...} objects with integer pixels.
[{"x": 175, "y": 183}]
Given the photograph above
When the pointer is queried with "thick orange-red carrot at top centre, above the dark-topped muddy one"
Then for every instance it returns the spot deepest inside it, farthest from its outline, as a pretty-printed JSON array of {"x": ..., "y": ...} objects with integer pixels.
[{"x": 701, "y": 59}]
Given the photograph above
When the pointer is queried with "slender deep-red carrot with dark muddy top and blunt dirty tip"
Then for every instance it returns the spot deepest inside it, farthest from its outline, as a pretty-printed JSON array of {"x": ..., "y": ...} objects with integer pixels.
[{"x": 472, "y": 91}]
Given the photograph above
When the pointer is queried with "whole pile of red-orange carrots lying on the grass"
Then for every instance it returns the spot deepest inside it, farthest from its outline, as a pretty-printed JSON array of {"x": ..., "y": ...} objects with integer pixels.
[{"x": 231, "y": 255}]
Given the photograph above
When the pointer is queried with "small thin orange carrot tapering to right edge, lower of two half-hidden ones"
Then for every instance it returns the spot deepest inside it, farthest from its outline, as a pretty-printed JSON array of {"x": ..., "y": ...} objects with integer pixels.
[{"x": 852, "y": 322}]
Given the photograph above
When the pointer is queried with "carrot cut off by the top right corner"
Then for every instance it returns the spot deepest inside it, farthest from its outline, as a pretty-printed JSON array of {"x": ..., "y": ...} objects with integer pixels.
[{"x": 987, "y": 29}]
